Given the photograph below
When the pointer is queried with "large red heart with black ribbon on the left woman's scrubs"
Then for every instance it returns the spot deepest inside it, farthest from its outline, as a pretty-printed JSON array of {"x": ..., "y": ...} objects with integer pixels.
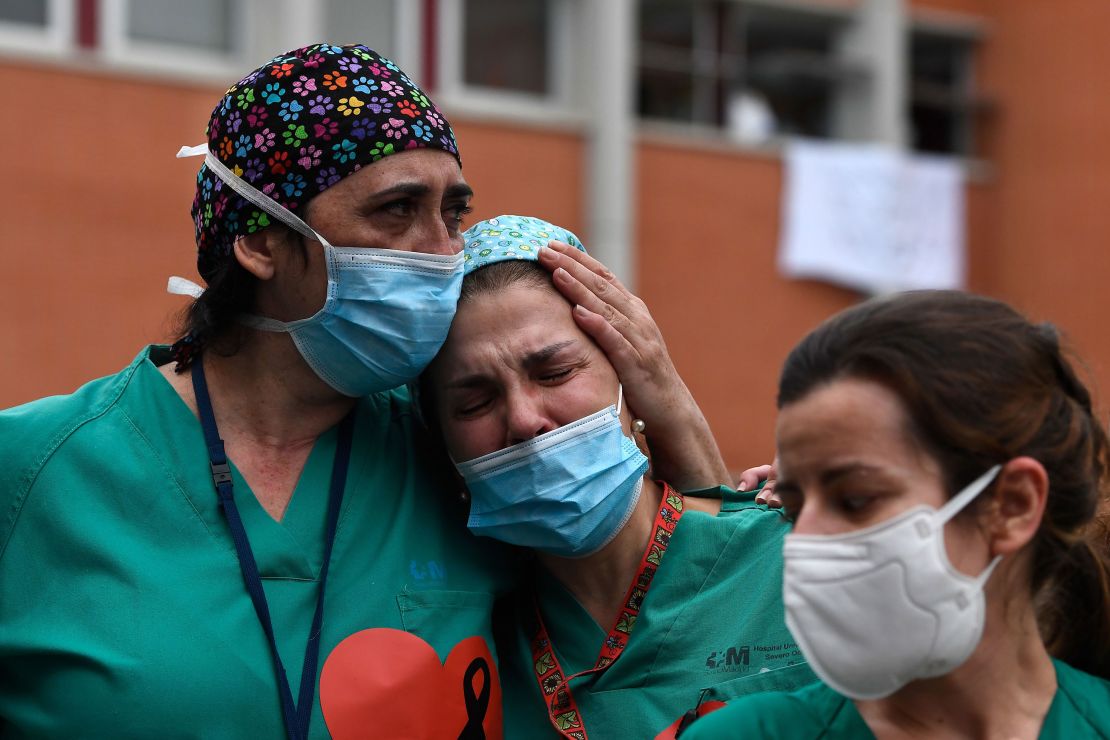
[{"x": 390, "y": 684}]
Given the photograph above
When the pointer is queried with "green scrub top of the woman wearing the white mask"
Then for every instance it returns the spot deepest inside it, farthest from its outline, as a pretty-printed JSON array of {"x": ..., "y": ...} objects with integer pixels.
[{"x": 1081, "y": 709}]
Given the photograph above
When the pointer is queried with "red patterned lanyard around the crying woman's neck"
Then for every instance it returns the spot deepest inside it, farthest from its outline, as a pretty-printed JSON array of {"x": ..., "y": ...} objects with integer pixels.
[{"x": 562, "y": 708}]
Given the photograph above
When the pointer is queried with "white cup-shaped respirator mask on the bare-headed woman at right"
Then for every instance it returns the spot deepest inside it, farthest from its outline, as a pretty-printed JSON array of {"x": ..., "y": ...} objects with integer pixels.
[{"x": 881, "y": 607}]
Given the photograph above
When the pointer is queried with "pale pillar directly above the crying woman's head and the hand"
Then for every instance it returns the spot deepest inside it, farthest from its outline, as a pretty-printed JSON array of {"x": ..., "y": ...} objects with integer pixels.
[{"x": 611, "y": 134}]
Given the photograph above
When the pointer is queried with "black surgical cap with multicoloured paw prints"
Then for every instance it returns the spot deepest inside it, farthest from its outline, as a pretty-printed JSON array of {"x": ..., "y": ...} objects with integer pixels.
[{"x": 299, "y": 125}]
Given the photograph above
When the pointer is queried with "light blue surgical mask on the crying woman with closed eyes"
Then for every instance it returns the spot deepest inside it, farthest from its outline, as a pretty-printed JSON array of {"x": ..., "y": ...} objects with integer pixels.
[{"x": 567, "y": 493}]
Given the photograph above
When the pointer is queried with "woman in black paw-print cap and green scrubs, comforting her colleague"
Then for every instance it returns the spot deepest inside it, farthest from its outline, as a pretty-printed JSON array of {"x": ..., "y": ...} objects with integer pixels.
[{"x": 167, "y": 533}]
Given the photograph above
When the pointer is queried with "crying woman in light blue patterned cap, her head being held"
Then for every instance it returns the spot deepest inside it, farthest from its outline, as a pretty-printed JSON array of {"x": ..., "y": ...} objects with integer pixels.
[{"x": 620, "y": 629}]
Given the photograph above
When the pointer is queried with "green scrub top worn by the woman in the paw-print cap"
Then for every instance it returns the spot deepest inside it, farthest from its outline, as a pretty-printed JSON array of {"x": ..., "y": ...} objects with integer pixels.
[{"x": 123, "y": 609}]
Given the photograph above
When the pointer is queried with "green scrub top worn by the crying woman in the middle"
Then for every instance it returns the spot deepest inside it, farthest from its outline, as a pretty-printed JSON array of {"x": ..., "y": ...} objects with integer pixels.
[{"x": 712, "y": 627}]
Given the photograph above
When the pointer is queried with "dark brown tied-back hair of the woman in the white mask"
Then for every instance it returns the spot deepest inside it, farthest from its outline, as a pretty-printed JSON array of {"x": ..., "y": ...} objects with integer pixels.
[{"x": 983, "y": 386}]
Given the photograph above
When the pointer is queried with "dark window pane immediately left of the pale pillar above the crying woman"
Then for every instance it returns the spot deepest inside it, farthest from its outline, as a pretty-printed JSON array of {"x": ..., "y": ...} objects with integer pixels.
[{"x": 507, "y": 45}]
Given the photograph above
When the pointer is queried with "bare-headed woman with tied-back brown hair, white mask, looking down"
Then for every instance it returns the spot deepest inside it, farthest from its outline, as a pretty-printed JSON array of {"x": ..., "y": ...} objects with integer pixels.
[{"x": 948, "y": 574}]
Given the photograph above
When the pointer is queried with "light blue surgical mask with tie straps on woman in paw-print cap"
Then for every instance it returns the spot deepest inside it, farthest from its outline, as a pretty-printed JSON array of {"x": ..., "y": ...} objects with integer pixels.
[{"x": 387, "y": 315}]
